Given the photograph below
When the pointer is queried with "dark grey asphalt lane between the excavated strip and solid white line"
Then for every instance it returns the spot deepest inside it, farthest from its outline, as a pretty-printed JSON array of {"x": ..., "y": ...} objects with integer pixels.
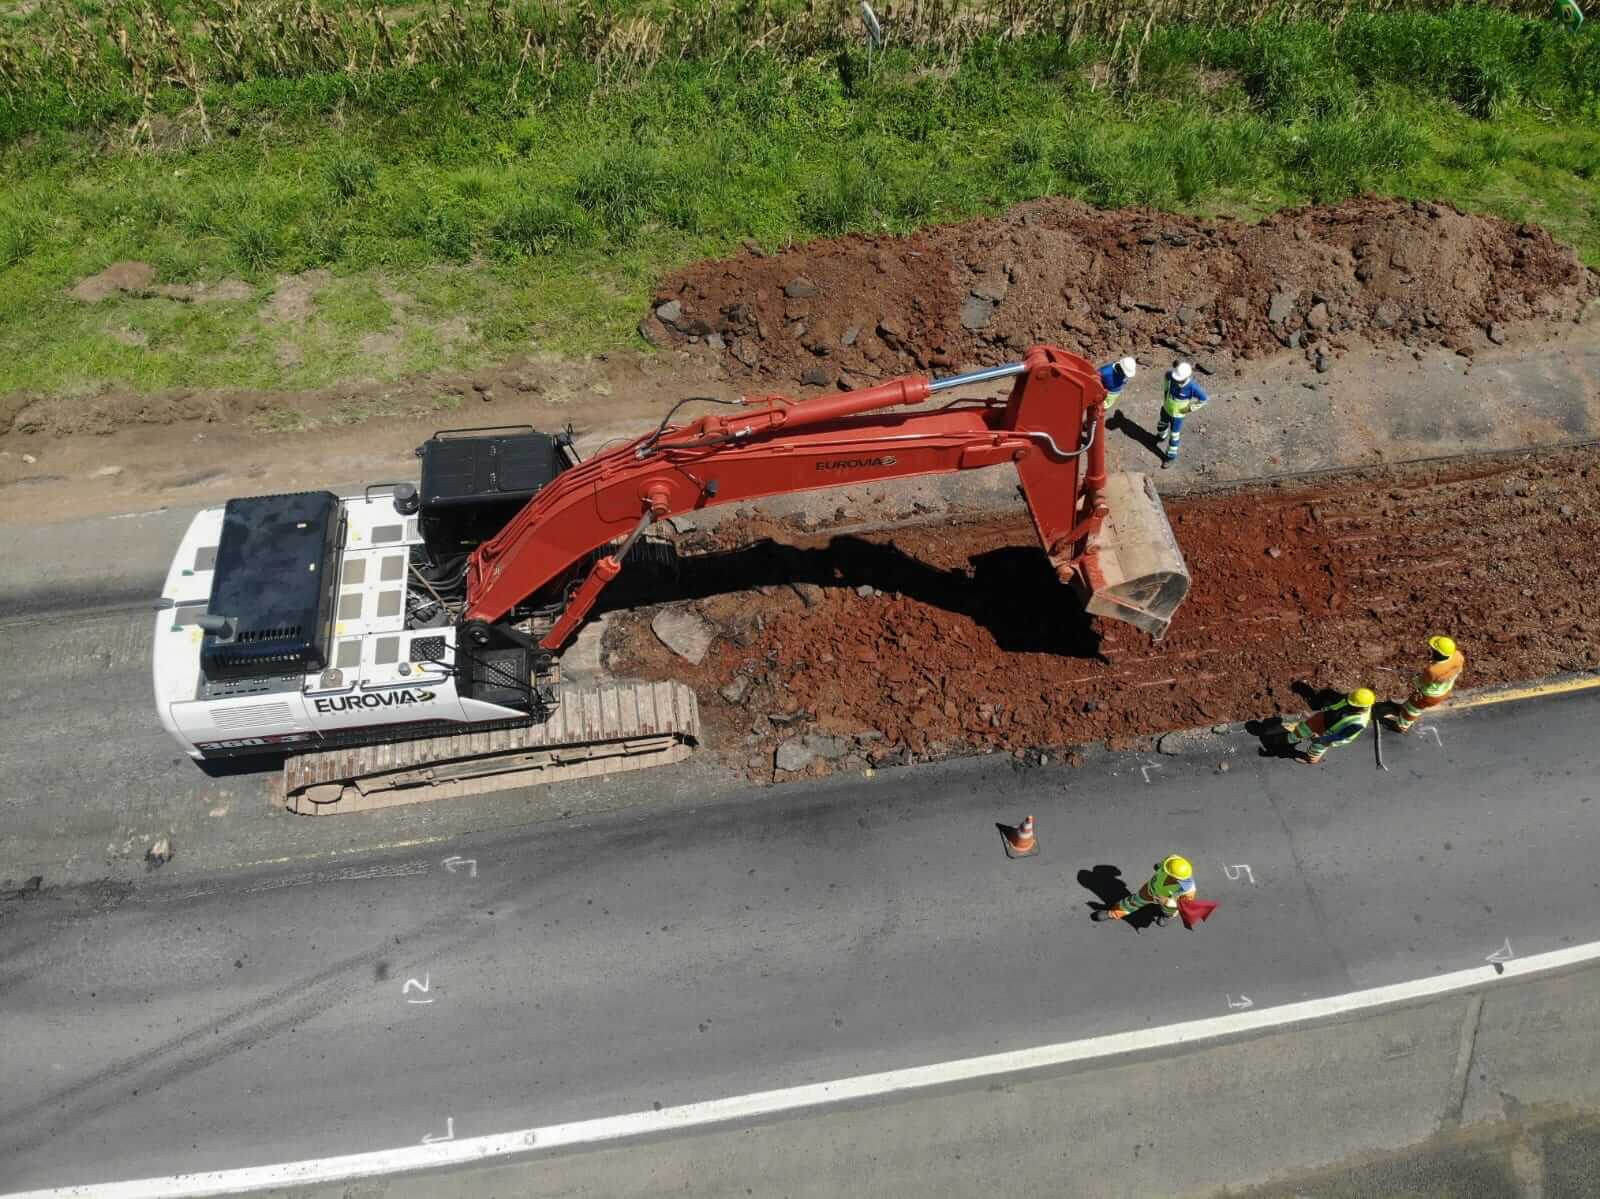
[{"x": 618, "y": 961}]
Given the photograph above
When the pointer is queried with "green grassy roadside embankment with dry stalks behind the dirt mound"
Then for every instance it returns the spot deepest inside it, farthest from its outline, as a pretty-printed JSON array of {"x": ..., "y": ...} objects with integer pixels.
[{"x": 518, "y": 178}]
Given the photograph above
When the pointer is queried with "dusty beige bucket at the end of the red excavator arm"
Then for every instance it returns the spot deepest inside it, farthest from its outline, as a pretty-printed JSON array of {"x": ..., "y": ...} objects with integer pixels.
[{"x": 1135, "y": 571}]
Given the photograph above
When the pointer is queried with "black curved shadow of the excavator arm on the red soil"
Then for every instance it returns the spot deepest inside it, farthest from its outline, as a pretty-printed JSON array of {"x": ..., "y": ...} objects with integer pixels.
[{"x": 1012, "y": 591}]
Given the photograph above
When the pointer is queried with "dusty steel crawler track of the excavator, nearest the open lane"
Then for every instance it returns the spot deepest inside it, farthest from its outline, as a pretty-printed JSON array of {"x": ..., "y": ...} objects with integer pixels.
[{"x": 596, "y": 731}]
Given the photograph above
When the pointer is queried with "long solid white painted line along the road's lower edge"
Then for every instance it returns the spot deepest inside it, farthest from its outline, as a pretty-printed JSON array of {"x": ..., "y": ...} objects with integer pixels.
[{"x": 814, "y": 1096}]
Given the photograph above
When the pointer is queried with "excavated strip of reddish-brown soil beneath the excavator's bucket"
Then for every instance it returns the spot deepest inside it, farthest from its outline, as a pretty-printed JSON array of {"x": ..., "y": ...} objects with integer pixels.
[{"x": 959, "y": 640}]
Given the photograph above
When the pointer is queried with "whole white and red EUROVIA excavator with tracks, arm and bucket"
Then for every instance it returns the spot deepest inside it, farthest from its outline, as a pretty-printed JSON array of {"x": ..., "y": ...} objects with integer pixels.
[{"x": 407, "y": 643}]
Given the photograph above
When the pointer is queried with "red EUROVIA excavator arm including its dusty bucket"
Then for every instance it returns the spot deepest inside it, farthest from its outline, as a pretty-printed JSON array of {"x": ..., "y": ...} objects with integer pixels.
[{"x": 1052, "y": 430}]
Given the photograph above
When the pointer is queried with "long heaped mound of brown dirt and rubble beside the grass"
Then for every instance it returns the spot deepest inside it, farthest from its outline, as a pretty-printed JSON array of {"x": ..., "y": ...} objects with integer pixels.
[{"x": 1108, "y": 283}]
